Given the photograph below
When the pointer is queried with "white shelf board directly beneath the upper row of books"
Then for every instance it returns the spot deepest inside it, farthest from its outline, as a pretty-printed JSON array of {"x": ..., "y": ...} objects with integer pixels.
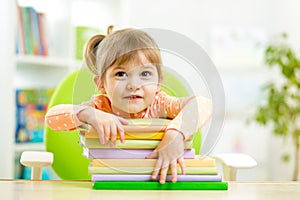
[{"x": 30, "y": 60}]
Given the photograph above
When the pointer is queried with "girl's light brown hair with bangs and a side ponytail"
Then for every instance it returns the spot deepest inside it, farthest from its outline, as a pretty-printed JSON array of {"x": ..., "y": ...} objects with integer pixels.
[{"x": 119, "y": 47}]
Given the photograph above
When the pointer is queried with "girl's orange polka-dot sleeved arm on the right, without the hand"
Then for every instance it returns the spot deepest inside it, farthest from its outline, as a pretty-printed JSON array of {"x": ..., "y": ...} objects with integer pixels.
[{"x": 189, "y": 114}]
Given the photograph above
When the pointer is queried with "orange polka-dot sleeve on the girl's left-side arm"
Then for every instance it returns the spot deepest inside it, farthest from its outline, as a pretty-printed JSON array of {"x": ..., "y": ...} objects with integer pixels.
[{"x": 64, "y": 116}]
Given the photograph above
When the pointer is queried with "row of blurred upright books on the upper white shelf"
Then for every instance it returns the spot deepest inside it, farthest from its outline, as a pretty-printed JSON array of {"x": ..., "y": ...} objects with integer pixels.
[{"x": 31, "y": 34}]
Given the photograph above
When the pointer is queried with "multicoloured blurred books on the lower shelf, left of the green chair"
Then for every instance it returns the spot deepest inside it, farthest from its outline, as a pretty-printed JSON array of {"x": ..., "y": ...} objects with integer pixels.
[{"x": 31, "y": 106}]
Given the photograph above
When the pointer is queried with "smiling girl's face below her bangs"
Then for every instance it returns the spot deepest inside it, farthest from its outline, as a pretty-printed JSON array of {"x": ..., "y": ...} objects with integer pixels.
[{"x": 131, "y": 87}]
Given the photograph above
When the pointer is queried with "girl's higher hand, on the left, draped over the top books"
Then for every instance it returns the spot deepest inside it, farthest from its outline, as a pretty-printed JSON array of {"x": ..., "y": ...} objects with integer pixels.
[{"x": 107, "y": 125}]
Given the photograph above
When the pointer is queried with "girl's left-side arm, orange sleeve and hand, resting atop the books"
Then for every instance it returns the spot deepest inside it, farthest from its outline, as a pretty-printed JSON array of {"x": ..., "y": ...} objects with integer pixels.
[{"x": 69, "y": 117}]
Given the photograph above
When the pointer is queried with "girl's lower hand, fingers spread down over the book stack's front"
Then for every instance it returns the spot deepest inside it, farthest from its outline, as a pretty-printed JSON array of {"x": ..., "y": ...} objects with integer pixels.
[{"x": 169, "y": 152}]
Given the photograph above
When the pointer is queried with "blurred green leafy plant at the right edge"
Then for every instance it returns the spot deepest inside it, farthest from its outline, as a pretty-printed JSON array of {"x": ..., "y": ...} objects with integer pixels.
[{"x": 281, "y": 109}]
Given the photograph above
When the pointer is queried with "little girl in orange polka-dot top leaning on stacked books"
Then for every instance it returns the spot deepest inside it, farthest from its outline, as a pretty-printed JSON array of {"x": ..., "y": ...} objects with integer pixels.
[{"x": 127, "y": 68}]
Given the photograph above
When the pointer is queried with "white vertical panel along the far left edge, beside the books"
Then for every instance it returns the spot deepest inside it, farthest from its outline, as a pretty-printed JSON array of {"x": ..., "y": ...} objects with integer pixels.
[{"x": 7, "y": 88}]
